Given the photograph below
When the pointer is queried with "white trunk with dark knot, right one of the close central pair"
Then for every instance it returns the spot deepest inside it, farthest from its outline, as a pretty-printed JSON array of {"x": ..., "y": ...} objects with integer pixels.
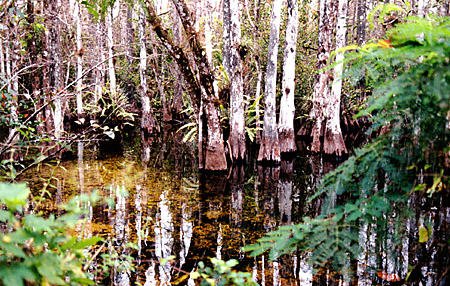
[{"x": 287, "y": 104}]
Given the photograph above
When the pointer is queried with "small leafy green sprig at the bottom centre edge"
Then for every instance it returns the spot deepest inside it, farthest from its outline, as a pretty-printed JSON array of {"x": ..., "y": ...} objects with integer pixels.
[{"x": 221, "y": 273}]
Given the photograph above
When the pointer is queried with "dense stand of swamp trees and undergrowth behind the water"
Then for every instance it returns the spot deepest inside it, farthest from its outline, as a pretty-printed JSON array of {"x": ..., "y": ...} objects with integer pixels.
[{"x": 238, "y": 72}]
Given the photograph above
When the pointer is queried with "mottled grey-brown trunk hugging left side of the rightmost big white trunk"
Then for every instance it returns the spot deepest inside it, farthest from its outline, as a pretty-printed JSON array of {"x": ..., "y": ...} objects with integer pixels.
[{"x": 322, "y": 90}]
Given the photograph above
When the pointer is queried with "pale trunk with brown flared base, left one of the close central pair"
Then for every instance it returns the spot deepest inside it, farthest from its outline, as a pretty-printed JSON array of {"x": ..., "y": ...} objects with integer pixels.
[{"x": 270, "y": 149}]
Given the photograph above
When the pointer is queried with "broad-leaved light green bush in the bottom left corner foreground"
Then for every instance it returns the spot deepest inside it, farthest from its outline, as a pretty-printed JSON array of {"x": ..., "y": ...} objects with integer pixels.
[{"x": 40, "y": 251}]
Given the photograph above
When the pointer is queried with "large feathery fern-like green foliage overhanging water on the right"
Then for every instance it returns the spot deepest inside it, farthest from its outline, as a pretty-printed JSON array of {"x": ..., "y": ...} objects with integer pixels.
[{"x": 408, "y": 112}]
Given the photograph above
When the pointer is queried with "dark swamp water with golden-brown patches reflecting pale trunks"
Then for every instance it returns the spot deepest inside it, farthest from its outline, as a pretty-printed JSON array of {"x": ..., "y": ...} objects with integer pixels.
[{"x": 166, "y": 209}]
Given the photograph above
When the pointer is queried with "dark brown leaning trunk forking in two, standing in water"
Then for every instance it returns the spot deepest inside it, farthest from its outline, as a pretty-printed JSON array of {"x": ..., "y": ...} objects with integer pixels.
[{"x": 200, "y": 88}]
